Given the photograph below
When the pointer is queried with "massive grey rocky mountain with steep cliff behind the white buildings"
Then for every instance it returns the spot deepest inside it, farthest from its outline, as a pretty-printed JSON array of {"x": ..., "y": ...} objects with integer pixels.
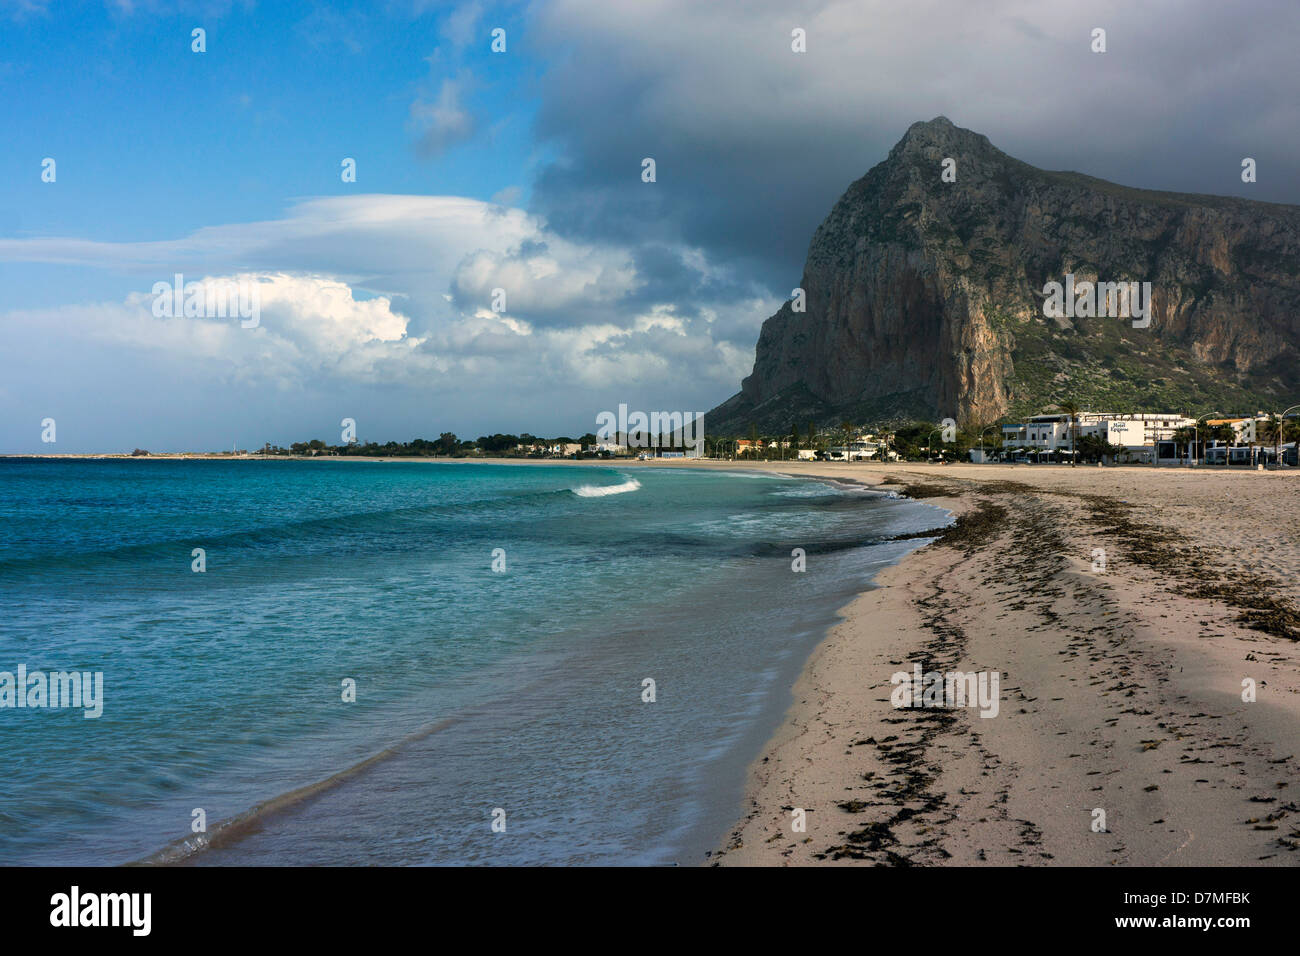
[{"x": 925, "y": 299}]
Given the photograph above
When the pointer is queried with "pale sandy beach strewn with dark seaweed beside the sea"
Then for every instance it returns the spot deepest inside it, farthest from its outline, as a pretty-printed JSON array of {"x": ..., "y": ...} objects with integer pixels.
[{"x": 1125, "y": 611}]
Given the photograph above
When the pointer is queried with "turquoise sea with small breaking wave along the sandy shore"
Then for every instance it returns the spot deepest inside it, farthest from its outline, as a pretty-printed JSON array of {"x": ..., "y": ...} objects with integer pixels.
[{"x": 513, "y": 695}]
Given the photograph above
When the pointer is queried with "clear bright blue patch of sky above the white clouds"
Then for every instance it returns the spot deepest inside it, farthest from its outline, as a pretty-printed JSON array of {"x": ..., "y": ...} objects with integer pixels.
[{"x": 154, "y": 141}]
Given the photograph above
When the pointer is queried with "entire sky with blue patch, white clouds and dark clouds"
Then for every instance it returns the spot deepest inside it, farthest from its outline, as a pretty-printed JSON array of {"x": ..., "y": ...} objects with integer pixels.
[{"x": 522, "y": 171}]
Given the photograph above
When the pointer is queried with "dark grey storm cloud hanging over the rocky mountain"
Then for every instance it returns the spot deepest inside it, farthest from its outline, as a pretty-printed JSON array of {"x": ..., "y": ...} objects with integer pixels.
[{"x": 753, "y": 142}]
